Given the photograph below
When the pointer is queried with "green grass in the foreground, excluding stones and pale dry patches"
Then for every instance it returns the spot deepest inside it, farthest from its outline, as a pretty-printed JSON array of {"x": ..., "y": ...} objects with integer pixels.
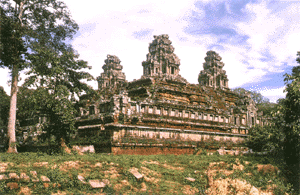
[{"x": 166, "y": 174}]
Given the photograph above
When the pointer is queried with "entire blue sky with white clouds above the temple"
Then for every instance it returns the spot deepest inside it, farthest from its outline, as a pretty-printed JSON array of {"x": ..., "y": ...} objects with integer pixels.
[{"x": 257, "y": 39}]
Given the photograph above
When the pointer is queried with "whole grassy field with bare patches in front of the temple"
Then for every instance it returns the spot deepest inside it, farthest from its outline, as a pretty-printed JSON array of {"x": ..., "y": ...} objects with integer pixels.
[{"x": 162, "y": 174}]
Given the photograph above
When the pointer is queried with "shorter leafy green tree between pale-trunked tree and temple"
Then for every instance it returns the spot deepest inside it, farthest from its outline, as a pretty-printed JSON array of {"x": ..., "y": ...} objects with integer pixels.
[{"x": 55, "y": 99}]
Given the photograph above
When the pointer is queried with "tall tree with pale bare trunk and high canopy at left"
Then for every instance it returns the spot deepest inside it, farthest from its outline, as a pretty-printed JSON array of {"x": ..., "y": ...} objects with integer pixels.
[{"x": 34, "y": 34}]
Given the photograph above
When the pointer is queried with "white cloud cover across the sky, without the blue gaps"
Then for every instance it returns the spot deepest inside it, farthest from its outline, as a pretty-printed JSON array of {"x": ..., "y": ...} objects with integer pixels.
[{"x": 113, "y": 23}]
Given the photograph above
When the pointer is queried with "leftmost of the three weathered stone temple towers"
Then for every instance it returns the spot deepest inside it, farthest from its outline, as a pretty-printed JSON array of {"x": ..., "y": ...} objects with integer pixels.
[{"x": 112, "y": 74}]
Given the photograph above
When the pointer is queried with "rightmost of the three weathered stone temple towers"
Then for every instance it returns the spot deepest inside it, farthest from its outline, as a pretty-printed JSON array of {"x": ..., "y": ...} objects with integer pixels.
[{"x": 213, "y": 74}]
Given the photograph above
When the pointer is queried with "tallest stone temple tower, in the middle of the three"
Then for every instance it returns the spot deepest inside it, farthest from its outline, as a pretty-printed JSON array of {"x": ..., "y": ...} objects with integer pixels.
[{"x": 161, "y": 60}]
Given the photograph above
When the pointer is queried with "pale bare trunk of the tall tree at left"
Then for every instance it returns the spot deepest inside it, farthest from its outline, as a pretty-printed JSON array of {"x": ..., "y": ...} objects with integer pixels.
[{"x": 11, "y": 129}]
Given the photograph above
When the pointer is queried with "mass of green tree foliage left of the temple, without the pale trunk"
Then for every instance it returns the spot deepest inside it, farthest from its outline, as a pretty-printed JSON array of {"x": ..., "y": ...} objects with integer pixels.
[{"x": 54, "y": 70}]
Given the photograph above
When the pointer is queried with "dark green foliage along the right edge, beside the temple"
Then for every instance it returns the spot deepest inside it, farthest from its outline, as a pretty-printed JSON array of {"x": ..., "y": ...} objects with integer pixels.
[{"x": 284, "y": 134}]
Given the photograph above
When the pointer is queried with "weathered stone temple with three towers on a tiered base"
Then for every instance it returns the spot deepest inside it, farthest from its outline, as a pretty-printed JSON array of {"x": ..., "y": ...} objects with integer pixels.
[{"x": 162, "y": 107}]
